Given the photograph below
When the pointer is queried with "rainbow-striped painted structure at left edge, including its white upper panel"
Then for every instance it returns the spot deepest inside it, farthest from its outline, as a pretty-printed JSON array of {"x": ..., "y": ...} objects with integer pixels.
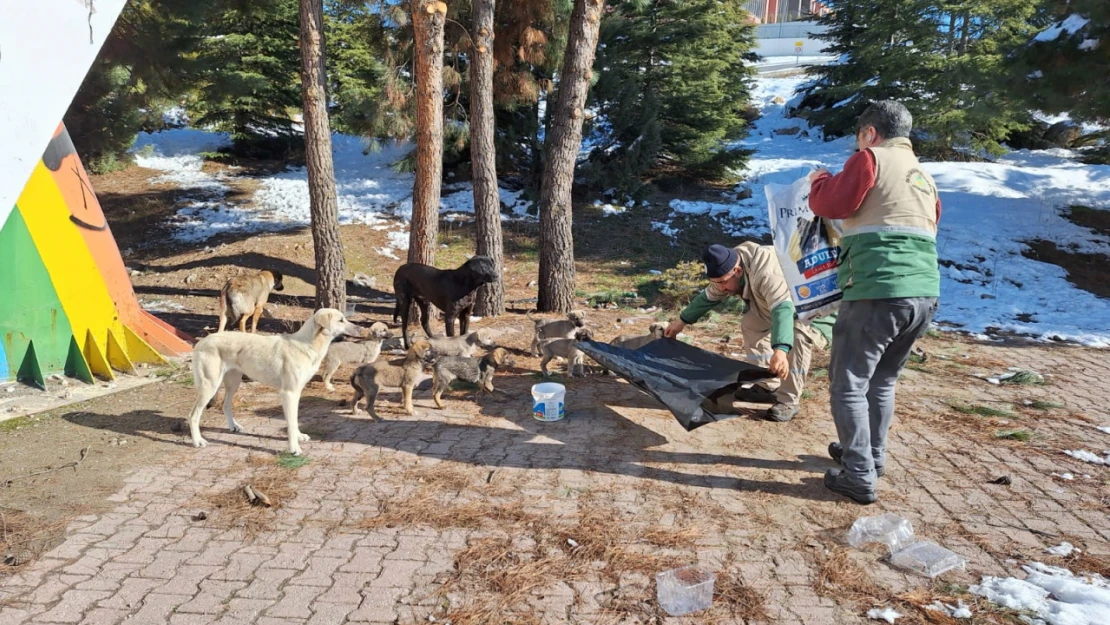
[{"x": 67, "y": 305}]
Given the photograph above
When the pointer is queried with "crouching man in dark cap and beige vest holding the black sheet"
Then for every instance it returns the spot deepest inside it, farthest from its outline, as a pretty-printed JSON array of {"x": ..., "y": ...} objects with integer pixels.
[{"x": 773, "y": 338}]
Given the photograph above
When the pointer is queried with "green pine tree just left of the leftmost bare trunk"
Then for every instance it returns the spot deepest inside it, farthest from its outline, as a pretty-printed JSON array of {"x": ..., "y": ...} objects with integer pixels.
[{"x": 251, "y": 85}]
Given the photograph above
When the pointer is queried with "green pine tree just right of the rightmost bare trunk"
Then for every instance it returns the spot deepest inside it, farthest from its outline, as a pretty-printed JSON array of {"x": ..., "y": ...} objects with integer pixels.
[{"x": 673, "y": 88}]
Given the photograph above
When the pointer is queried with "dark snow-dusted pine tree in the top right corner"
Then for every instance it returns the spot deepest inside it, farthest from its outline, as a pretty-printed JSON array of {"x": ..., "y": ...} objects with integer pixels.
[{"x": 1065, "y": 68}]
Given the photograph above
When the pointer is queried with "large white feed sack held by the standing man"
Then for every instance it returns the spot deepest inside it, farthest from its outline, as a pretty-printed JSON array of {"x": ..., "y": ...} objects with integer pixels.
[{"x": 809, "y": 249}]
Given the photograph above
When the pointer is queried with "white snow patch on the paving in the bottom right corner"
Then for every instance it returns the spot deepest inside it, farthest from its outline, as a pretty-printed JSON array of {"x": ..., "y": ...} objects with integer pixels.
[{"x": 1056, "y": 596}]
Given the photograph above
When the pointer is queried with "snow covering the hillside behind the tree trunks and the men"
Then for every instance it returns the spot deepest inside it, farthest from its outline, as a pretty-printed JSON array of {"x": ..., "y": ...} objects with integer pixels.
[{"x": 991, "y": 211}]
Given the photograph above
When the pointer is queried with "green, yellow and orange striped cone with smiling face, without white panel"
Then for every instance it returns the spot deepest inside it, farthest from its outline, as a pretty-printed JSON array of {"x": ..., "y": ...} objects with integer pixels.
[{"x": 67, "y": 305}]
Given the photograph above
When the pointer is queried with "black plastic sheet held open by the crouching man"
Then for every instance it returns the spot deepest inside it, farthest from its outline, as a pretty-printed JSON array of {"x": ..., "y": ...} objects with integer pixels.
[{"x": 680, "y": 376}]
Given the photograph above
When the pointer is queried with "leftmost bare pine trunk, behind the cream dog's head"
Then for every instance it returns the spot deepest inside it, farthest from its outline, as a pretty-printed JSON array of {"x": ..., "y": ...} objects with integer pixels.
[{"x": 331, "y": 267}]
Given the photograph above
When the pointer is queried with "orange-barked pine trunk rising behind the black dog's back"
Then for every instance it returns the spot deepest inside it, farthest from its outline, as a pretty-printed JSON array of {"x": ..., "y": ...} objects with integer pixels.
[{"x": 429, "y": 17}]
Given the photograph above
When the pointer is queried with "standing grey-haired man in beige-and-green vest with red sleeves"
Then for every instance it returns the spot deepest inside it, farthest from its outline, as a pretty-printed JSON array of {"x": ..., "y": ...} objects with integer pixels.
[{"x": 891, "y": 284}]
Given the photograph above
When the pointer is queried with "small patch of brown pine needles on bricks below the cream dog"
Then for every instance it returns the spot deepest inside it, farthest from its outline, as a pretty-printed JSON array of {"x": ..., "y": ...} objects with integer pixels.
[{"x": 231, "y": 510}]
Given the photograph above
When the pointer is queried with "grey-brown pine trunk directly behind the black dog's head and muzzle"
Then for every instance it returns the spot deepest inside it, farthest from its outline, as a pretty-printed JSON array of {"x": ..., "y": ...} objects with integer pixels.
[{"x": 490, "y": 301}]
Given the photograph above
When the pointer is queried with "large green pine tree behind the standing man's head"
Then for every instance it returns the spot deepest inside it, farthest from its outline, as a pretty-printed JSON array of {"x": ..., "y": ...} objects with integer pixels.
[{"x": 945, "y": 61}]
